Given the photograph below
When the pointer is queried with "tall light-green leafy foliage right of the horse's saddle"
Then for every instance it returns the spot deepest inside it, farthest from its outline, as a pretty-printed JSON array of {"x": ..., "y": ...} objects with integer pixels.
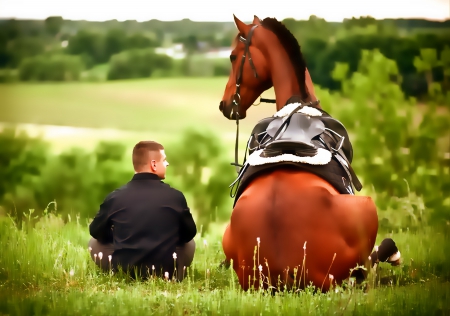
[{"x": 394, "y": 139}]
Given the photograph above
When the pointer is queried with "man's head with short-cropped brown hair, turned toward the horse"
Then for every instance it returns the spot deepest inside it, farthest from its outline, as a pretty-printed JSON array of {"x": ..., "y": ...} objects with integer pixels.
[{"x": 149, "y": 156}]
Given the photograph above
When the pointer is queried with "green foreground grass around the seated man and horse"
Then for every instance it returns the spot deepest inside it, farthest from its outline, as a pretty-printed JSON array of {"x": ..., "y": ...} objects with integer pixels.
[{"x": 35, "y": 278}]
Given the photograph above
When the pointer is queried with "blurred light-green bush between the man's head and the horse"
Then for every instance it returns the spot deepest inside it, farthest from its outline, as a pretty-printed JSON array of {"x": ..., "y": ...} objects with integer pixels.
[{"x": 198, "y": 169}]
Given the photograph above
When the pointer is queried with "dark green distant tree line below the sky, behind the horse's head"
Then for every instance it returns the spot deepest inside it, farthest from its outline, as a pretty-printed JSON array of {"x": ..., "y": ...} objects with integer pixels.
[{"x": 57, "y": 49}]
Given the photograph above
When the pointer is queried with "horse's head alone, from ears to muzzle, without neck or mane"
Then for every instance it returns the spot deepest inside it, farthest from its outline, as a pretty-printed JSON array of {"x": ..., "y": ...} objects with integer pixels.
[{"x": 250, "y": 74}]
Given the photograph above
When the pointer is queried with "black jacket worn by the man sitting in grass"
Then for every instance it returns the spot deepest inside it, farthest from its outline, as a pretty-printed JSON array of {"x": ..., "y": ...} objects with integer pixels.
[{"x": 145, "y": 219}]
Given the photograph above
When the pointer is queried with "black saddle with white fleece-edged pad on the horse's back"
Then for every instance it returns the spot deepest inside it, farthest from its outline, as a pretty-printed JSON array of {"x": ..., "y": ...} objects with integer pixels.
[{"x": 306, "y": 135}]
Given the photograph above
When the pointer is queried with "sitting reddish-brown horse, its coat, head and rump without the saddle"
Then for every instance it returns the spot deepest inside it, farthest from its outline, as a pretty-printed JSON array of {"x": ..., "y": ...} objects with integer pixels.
[{"x": 288, "y": 227}]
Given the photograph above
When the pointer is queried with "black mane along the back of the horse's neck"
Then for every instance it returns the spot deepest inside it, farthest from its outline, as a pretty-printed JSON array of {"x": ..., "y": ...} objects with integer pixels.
[{"x": 290, "y": 44}]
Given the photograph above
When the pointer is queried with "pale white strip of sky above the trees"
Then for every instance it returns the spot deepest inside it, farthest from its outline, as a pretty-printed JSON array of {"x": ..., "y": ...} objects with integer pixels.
[{"x": 222, "y": 10}]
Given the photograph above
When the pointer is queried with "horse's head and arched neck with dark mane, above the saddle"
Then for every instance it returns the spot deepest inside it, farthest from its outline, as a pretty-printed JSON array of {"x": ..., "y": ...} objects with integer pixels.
[{"x": 266, "y": 54}]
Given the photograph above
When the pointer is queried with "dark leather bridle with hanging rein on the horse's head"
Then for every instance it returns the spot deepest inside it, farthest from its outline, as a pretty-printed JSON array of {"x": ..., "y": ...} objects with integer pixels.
[{"x": 237, "y": 96}]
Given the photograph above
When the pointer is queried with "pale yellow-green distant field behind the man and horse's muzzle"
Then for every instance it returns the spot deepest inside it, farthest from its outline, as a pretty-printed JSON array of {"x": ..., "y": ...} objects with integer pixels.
[{"x": 131, "y": 109}]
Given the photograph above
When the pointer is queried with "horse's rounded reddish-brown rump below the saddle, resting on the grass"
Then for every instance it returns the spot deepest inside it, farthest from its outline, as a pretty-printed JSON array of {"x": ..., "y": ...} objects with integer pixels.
[{"x": 287, "y": 209}]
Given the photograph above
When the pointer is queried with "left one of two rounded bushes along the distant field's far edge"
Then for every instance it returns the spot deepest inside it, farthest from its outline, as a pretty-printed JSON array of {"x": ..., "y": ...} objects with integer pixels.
[{"x": 51, "y": 68}]
